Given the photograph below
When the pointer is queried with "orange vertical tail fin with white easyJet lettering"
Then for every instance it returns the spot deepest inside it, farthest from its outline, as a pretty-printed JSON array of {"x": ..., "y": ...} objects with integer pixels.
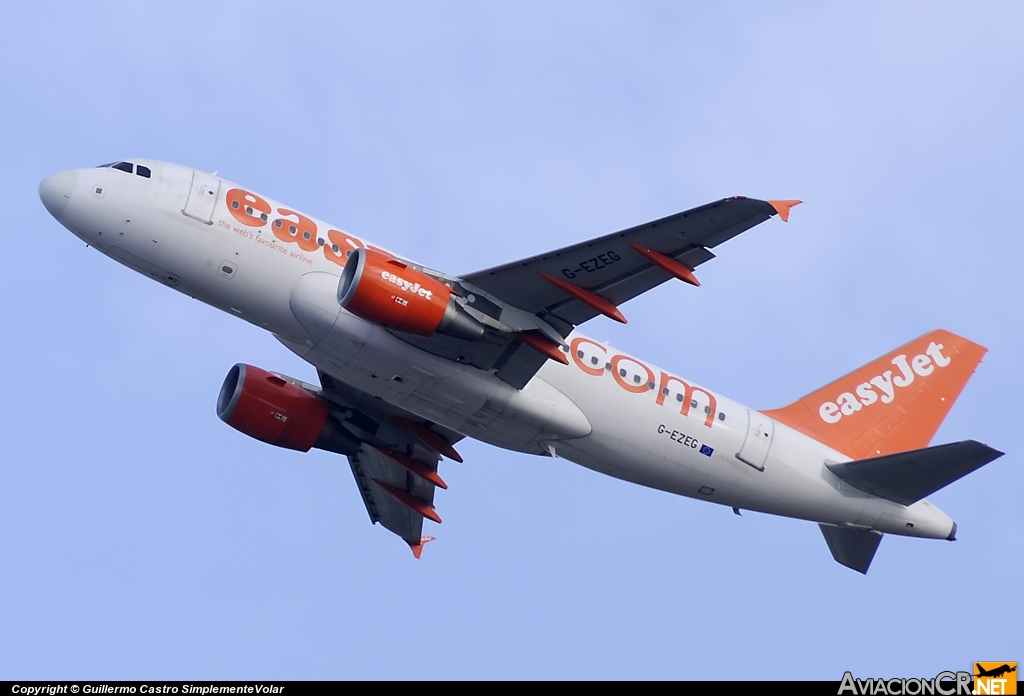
[{"x": 890, "y": 406}]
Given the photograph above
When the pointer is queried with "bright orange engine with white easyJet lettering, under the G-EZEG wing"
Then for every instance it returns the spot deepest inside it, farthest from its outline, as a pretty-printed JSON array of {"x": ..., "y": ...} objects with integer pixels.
[{"x": 386, "y": 291}]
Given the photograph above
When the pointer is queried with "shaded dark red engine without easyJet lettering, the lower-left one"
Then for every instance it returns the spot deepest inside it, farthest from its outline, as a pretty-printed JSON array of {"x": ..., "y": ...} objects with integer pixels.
[{"x": 274, "y": 411}]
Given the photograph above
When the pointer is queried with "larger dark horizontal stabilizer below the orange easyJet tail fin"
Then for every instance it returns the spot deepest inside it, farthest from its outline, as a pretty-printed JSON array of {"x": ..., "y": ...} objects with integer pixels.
[{"x": 908, "y": 477}]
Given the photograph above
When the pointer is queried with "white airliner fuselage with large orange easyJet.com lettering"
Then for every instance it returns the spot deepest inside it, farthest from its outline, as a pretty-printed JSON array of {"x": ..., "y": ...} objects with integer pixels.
[{"x": 607, "y": 411}]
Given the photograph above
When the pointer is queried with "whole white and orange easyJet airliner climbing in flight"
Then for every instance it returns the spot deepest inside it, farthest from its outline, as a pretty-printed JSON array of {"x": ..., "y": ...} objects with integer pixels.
[{"x": 412, "y": 360}]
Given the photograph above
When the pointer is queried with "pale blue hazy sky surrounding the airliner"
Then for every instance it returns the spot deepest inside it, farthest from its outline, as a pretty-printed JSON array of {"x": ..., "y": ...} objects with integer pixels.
[{"x": 142, "y": 538}]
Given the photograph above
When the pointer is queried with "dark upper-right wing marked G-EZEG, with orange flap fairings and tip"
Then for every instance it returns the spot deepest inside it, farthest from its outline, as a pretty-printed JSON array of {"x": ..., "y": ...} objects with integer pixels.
[{"x": 531, "y": 306}]
